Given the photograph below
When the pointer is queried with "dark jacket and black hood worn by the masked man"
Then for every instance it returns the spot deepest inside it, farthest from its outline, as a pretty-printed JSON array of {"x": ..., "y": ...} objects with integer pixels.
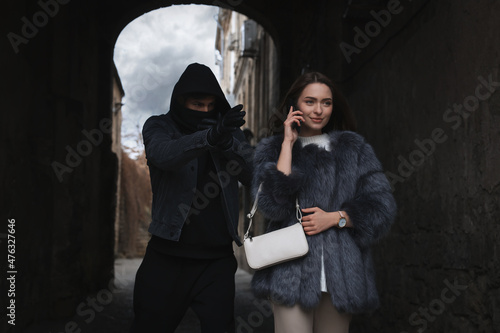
[{"x": 172, "y": 154}]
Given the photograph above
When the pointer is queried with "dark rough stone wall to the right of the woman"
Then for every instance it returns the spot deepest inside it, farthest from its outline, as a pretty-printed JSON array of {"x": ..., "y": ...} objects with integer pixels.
[{"x": 427, "y": 98}]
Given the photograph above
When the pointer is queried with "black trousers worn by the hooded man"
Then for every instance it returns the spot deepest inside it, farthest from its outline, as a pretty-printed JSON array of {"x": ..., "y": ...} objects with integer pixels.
[{"x": 165, "y": 286}]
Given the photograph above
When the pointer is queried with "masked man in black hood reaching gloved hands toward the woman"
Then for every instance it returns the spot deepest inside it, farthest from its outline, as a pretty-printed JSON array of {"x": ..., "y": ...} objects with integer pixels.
[{"x": 196, "y": 155}]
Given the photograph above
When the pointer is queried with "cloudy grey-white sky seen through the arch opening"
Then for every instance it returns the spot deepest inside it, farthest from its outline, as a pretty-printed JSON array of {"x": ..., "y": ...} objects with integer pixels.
[{"x": 153, "y": 51}]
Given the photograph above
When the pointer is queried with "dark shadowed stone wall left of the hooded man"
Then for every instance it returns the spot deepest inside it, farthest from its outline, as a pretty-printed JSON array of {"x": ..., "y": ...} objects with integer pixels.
[{"x": 58, "y": 170}]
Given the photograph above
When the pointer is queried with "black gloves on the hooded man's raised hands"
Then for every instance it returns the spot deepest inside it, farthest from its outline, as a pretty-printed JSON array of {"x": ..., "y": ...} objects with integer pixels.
[{"x": 220, "y": 133}]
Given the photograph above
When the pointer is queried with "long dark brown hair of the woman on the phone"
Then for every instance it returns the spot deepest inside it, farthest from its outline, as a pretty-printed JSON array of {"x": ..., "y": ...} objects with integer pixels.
[{"x": 341, "y": 119}]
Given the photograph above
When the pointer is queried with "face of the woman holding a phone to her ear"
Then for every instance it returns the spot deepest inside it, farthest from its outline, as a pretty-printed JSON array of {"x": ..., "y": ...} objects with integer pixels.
[{"x": 316, "y": 104}]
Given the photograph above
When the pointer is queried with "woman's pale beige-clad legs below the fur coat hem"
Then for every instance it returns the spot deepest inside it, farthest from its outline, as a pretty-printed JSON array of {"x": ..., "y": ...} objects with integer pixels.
[{"x": 323, "y": 319}]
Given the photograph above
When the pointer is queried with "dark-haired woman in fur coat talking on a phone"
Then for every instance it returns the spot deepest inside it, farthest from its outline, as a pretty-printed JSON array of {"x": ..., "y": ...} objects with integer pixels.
[{"x": 347, "y": 205}]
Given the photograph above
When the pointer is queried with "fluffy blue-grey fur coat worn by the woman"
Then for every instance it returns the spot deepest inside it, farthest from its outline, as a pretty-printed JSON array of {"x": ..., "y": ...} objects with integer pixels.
[{"x": 349, "y": 178}]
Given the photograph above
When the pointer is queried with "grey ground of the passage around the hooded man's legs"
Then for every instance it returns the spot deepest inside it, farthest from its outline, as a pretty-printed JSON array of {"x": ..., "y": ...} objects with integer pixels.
[{"x": 252, "y": 315}]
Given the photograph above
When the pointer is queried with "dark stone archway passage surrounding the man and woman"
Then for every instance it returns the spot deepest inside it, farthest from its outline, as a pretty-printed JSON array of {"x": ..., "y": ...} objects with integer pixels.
[{"x": 56, "y": 85}]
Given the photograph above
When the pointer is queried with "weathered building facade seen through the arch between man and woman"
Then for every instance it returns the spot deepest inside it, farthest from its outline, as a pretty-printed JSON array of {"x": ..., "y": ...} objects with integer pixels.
[{"x": 247, "y": 59}]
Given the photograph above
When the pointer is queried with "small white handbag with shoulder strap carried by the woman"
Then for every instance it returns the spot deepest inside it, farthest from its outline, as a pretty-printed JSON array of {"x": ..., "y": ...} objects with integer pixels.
[{"x": 277, "y": 246}]
